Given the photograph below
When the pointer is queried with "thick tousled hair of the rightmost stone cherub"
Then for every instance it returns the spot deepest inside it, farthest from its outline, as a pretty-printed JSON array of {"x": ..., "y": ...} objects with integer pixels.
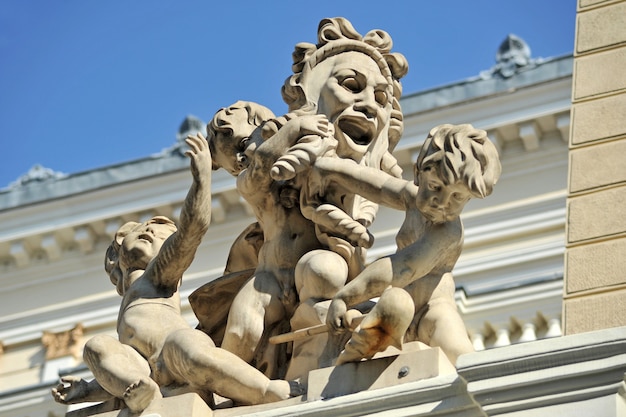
[{"x": 461, "y": 152}]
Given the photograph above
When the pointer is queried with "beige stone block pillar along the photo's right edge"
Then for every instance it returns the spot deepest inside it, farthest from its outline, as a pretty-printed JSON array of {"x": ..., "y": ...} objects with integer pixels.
[{"x": 595, "y": 256}]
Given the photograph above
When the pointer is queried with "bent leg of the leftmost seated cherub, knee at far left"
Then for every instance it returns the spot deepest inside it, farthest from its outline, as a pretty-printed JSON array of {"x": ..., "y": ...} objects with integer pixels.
[{"x": 121, "y": 371}]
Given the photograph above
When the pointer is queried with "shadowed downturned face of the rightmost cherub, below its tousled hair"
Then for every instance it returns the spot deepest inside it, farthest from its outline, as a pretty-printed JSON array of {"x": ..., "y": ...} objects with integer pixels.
[{"x": 437, "y": 201}]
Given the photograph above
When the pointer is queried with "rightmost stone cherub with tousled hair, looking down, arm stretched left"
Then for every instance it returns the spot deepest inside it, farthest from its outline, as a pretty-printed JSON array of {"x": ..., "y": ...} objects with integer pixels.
[{"x": 455, "y": 164}]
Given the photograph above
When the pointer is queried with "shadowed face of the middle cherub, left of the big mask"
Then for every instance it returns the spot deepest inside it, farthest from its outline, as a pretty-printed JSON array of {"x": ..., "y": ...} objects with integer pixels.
[{"x": 230, "y": 149}]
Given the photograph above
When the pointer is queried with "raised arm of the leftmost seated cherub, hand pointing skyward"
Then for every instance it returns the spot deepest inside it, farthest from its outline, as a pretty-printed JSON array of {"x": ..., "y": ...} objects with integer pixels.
[{"x": 179, "y": 249}]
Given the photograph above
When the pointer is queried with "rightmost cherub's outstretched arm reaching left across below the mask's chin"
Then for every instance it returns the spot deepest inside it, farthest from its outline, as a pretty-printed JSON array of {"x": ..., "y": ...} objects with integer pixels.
[{"x": 371, "y": 183}]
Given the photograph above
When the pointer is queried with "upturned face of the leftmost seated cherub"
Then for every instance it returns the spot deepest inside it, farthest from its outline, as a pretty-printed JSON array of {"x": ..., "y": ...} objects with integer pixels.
[{"x": 144, "y": 242}]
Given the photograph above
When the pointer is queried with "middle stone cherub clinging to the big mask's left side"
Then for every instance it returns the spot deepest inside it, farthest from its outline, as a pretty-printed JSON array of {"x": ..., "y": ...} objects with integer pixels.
[{"x": 247, "y": 144}]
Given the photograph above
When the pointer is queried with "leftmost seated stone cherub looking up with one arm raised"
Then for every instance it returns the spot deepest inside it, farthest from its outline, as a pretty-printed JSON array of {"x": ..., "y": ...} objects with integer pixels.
[{"x": 157, "y": 350}]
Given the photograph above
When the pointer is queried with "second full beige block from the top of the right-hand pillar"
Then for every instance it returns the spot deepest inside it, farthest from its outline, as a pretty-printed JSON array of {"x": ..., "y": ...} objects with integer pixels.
[{"x": 599, "y": 73}]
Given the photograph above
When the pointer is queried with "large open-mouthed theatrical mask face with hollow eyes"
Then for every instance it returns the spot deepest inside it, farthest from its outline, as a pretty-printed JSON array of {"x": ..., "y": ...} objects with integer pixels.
[{"x": 356, "y": 98}]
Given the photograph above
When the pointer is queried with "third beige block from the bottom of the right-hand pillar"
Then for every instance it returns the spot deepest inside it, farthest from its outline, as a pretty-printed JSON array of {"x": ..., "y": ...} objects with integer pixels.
[{"x": 597, "y": 215}]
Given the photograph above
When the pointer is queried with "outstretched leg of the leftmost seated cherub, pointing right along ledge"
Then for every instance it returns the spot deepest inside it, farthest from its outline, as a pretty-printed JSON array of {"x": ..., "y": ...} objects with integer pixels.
[{"x": 190, "y": 356}]
